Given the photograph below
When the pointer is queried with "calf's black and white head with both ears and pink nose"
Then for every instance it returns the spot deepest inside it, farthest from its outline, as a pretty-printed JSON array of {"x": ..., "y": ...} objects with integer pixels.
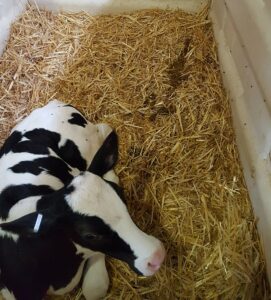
[{"x": 92, "y": 213}]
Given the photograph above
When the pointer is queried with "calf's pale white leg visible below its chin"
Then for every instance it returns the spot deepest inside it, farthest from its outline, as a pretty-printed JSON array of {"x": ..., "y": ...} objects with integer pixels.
[{"x": 95, "y": 280}]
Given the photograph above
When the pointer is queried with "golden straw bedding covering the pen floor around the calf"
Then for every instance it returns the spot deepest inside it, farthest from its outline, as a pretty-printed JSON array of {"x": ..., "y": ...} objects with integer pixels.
[{"x": 154, "y": 76}]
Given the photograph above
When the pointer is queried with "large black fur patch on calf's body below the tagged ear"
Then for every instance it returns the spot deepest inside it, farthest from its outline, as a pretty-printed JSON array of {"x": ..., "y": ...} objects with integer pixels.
[{"x": 30, "y": 266}]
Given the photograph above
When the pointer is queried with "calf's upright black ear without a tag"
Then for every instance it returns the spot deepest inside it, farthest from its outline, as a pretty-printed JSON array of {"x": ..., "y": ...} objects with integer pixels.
[{"x": 106, "y": 157}]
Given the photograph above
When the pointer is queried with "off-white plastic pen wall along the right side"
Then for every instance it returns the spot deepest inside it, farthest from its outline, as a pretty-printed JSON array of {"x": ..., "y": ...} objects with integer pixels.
[{"x": 242, "y": 30}]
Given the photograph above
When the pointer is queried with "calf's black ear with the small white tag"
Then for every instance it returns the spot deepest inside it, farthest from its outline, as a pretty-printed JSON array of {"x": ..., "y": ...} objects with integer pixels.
[{"x": 31, "y": 224}]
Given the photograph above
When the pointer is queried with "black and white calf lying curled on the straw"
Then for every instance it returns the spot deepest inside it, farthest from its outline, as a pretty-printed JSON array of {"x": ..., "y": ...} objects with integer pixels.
[{"x": 62, "y": 210}]
